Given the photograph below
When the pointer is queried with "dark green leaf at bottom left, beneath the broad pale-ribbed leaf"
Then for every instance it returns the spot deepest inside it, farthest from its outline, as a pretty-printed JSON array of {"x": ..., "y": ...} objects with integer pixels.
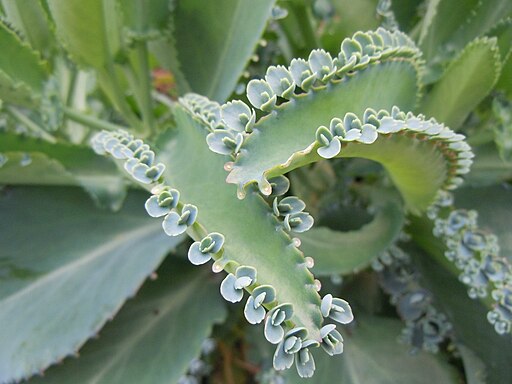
[{"x": 154, "y": 337}]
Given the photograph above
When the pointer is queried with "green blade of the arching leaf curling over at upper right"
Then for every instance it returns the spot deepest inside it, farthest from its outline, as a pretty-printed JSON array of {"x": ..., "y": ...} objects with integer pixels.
[{"x": 298, "y": 122}]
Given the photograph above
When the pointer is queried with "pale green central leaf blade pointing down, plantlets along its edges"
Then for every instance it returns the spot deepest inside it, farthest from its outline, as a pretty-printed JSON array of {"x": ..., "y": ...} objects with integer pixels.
[{"x": 202, "y": 182}]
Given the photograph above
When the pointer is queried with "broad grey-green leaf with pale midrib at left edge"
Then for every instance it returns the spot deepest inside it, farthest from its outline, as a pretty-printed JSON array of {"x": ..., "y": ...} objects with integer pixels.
[{"x": 68, "y": 252}]
